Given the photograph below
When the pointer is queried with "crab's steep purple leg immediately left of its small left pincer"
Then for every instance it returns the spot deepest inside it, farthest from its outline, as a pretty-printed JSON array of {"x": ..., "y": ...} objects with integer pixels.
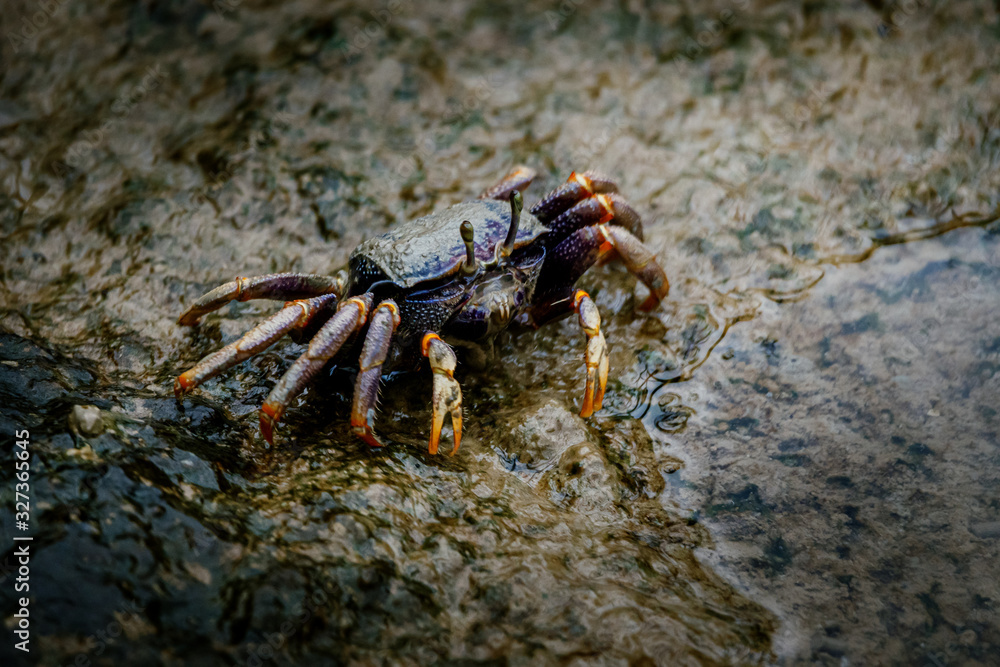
[{"x": 384, "y": 321}]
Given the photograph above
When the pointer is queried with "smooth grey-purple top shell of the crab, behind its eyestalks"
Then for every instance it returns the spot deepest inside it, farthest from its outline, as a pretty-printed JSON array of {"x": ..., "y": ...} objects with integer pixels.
[{"x": 431, "y": 248}]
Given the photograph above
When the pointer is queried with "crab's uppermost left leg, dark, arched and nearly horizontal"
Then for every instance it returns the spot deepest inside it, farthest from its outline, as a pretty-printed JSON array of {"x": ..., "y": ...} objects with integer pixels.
[{"x": 281, "y": 286}]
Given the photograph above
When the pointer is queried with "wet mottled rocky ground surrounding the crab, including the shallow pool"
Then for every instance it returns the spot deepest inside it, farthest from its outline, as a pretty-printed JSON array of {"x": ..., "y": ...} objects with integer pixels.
[{"x": 797, "y": 460}]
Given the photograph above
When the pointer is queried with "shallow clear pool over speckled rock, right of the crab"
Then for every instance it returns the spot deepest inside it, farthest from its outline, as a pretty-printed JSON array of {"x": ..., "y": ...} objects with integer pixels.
[{"x": 864, "y": 456}]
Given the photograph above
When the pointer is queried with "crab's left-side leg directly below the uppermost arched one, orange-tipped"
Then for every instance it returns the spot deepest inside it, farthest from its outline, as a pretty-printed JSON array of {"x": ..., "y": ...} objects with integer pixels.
[{"x": 295, "y": 313}]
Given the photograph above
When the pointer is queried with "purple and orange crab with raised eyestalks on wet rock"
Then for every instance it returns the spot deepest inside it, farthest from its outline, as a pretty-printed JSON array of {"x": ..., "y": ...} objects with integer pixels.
[{"x": 447, "y": 279}]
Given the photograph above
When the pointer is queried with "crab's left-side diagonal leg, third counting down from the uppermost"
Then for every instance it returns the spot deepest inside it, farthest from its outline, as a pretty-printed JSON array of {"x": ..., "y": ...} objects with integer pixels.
[{"x": 349, "y": 318}]
